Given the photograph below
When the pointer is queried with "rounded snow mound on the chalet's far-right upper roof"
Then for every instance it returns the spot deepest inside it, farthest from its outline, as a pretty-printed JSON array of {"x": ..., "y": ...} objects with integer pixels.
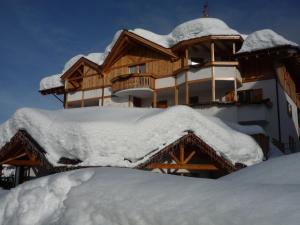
[{"x": 264, "y": 39}]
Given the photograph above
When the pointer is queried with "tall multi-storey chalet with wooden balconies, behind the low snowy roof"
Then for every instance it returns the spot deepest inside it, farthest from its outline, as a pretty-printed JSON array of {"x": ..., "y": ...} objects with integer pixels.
[{"x": 247, "y": 79}]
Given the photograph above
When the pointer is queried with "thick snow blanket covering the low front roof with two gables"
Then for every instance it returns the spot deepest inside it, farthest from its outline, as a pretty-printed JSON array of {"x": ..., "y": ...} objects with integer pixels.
[{"x": 108, "y": 136}]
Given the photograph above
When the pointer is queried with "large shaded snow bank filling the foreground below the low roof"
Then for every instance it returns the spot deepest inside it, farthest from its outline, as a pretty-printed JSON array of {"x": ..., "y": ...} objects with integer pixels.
[{"x": 124, "y": 196}]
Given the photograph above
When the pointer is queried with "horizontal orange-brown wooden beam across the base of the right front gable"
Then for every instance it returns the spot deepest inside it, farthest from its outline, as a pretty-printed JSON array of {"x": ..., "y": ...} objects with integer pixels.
[{"x": 199, "y": 167}]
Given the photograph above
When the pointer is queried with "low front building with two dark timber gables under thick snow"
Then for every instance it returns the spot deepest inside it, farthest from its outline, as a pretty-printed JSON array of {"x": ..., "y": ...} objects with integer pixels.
[{"x": 178, "y": 140}]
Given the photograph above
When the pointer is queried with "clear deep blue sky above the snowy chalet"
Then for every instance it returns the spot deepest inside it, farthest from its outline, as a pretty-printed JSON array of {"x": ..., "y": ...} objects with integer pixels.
[{"x": 38, "y": 36}]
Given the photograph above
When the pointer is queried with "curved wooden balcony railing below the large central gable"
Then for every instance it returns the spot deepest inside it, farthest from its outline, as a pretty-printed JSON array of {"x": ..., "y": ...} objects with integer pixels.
[{"x": 132, "y": 81}]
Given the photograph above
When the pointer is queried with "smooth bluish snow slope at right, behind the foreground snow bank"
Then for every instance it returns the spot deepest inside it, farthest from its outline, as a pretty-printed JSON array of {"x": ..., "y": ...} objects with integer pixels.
[{"x": 280, "y": 170}]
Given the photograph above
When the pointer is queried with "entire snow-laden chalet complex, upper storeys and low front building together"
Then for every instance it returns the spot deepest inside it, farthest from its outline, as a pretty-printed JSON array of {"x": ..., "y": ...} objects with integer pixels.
[{"x": 202, "y": 63}]
